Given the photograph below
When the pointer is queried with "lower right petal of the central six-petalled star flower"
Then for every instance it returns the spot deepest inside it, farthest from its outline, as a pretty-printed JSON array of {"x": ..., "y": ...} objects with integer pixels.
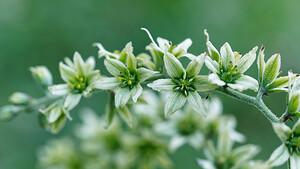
[{"x": 195, "y": 100}]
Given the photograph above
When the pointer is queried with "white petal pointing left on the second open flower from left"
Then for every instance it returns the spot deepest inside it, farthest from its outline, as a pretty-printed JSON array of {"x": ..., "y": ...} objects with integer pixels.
[{"x": 106, "y": 83}]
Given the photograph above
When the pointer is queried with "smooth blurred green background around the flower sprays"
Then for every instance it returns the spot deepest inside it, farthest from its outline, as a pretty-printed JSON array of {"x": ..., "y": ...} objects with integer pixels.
[{"x": 43, "y": 32}]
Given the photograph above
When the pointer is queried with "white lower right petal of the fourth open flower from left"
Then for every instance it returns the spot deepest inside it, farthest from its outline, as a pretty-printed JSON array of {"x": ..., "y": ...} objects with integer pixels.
[{"x": 244, "y": 82}]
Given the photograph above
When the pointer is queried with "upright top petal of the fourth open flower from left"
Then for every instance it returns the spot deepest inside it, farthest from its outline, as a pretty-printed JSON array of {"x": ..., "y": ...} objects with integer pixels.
[{"x": 227, "y": 56}]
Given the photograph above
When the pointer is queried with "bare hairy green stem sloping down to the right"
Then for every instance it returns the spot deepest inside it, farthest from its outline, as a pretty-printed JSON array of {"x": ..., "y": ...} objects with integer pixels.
[{"x": 257, "y": 102}]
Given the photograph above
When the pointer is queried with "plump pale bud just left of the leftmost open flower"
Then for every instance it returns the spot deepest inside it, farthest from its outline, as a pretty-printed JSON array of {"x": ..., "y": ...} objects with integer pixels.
[{"x": 42, "y": 75}]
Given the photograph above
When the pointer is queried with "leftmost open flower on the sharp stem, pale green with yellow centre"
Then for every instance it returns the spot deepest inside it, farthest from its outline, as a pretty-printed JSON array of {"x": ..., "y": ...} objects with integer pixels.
[{"x": 79, "y": 77}]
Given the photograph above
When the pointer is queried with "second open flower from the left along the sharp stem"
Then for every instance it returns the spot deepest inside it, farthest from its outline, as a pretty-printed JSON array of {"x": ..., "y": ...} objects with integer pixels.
[{"x": 126, "y": 82}]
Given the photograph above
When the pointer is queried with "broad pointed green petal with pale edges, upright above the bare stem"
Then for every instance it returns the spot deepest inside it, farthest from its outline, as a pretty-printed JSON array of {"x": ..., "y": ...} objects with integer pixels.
[{"x": 271, "y": 70}]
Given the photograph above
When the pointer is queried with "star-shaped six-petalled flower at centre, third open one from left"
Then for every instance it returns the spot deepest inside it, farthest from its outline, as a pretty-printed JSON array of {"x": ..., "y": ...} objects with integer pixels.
[{"x": 183, "y": 84}]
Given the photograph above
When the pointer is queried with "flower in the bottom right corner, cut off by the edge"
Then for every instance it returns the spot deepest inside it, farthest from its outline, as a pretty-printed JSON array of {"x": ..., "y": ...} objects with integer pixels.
[{"x": 290, "y": 147}]
